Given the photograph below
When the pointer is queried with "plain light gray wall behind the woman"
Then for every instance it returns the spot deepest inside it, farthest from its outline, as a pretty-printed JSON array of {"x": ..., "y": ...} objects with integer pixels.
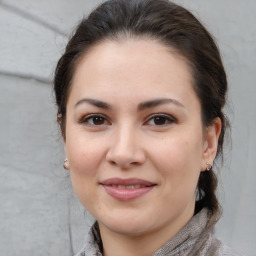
[{"x": 39, "y": 215}]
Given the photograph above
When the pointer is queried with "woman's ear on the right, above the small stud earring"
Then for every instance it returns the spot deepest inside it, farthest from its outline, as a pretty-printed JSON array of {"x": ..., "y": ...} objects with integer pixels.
[{"x": 211, "y": 137}]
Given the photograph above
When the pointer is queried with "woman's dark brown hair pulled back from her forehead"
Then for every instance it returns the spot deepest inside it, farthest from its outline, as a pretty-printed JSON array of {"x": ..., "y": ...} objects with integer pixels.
[{"x": 173, "y": 26}]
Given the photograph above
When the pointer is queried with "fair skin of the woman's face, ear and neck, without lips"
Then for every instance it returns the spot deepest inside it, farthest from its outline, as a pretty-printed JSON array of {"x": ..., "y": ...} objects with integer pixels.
[{"x": 128, "y": 142}]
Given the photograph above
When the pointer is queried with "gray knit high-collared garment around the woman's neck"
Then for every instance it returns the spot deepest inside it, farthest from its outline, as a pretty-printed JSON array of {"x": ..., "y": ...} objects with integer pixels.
[{"x": 195, "y": 239}]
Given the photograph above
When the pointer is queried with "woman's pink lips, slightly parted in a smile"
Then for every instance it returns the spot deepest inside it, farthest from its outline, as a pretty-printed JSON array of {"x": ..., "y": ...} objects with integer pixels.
[{"x": 126, "y": 194}]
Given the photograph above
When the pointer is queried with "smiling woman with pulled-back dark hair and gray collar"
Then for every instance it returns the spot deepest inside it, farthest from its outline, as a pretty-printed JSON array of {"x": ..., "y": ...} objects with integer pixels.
[{"x": 140, "y": 91}]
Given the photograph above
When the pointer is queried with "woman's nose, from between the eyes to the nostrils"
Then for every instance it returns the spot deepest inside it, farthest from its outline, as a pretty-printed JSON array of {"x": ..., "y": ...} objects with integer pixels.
[{"x": 126, "y": 149}]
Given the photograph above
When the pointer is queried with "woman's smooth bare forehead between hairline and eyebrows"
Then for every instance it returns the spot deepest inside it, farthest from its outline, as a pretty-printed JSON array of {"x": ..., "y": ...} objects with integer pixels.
[{"x": 133, "y": 65}]
